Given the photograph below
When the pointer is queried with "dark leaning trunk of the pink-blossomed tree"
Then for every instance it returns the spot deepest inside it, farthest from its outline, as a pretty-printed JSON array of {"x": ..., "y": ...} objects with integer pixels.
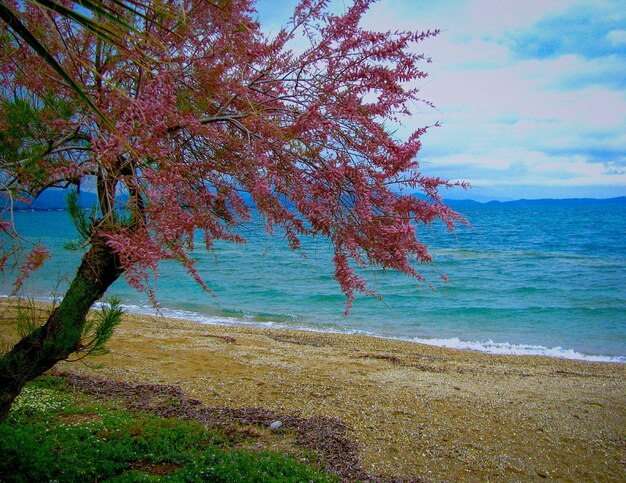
[{"x": 61, "y": 334}]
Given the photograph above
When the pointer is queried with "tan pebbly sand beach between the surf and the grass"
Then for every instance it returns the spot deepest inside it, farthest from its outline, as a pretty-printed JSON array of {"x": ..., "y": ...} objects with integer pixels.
[{"x": 413, "y": 411}]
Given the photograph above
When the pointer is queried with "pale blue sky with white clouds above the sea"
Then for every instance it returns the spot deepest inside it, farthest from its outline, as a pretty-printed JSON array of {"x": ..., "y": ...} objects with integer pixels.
[{"x": 531, "y": 93}]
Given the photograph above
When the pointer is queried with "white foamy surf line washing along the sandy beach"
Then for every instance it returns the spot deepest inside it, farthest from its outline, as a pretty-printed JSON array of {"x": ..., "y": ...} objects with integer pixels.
[{"x": 485, "y": 346}]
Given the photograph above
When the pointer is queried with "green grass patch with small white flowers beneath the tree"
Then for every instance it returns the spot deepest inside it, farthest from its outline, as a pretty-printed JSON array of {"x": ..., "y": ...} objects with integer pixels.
[{"x": 56, "y": 434}]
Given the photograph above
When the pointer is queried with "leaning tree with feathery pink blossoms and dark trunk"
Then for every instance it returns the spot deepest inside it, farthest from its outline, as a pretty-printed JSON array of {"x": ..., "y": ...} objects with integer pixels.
[{"x": 212, "y": 110}]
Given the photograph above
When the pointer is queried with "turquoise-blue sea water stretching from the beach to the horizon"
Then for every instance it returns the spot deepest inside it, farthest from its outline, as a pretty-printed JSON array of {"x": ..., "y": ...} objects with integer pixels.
[{"x": 541, "y": 280}]
